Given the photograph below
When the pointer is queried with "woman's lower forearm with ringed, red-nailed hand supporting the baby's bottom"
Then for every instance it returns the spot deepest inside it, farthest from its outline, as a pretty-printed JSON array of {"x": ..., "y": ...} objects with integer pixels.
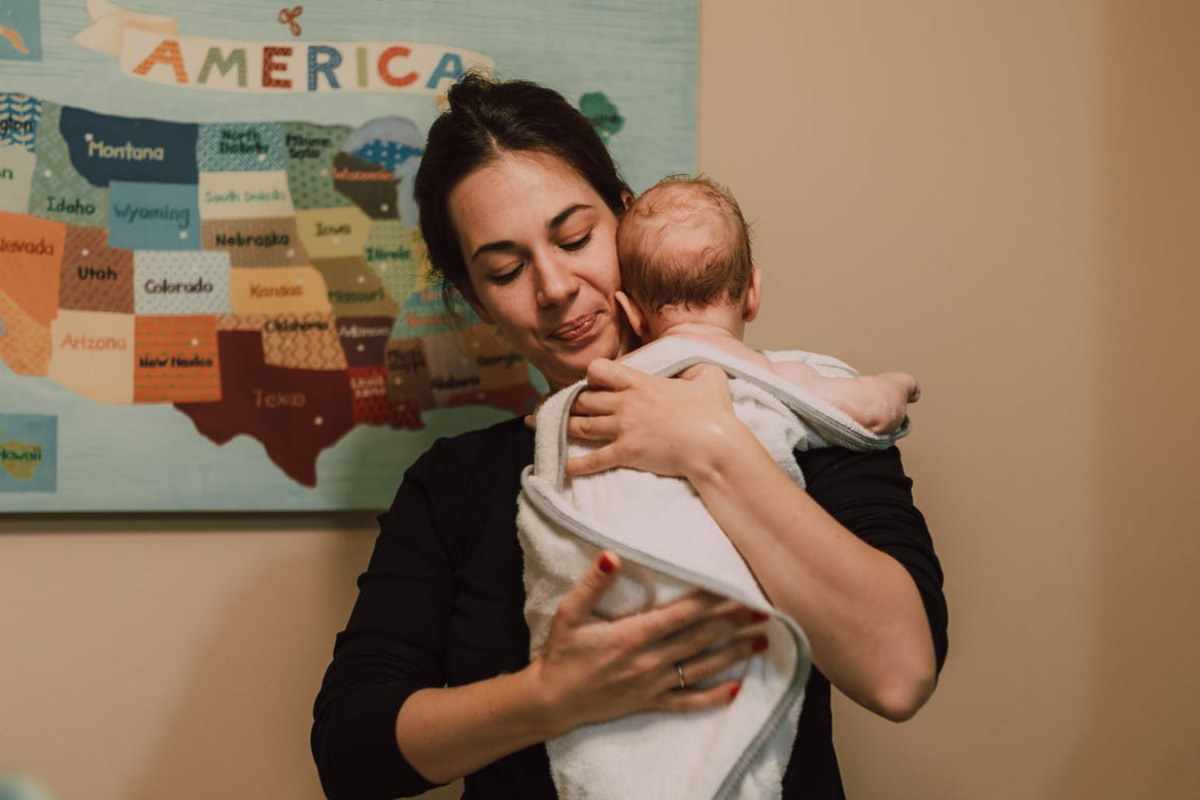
[{"x": 589, "y": 670}]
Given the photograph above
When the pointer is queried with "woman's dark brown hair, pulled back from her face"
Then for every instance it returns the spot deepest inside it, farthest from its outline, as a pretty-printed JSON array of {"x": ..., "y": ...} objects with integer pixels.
[{"x": 488, "y": 118}]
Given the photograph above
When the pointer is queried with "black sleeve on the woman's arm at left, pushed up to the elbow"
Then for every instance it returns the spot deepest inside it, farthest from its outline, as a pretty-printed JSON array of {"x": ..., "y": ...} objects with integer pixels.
[{"x": 393, "y": 646}]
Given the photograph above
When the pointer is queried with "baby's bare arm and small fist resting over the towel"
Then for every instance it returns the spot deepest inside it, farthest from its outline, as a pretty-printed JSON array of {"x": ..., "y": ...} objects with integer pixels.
[{"x": 877, "y": 402}]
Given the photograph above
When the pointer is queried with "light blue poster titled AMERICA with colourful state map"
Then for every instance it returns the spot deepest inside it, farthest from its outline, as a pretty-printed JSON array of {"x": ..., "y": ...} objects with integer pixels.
[{"x": 213, "y": 291}]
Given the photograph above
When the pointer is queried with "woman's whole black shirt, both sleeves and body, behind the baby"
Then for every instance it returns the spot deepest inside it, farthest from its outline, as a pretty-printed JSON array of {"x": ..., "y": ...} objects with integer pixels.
[{"x": 442, "y": 605}]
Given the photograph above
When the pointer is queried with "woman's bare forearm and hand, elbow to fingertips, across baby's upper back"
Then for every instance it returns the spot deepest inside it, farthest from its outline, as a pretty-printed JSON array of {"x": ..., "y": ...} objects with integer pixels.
[{"x": 860, "y": 607}]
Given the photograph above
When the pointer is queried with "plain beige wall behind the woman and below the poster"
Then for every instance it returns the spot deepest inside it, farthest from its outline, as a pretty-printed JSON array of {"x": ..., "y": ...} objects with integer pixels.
[{"x": 1000, "y": 196}]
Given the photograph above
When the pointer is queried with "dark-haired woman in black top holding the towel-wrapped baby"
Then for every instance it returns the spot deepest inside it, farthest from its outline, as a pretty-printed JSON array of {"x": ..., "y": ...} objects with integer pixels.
[{"x": 431, "y": 679}]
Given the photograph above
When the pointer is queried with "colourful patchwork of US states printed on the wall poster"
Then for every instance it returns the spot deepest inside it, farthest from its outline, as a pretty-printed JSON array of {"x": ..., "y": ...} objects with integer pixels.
[{"x": 266, "y": 279}]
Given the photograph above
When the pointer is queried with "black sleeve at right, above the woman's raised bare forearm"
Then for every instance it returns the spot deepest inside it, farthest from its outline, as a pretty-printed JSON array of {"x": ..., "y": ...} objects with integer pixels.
[{"x": 871, "y": 495}]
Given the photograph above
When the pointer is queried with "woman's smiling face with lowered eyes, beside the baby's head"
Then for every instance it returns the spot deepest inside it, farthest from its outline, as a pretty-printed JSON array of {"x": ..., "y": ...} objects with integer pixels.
[{"x": 542, "y": 256}]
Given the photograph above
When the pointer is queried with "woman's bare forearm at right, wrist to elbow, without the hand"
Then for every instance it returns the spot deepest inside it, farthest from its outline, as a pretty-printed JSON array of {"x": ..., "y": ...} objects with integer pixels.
[{"x": 860, "y": 607}]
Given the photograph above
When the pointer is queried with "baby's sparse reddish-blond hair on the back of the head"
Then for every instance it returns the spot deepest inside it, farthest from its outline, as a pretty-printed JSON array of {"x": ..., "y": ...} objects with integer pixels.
[{"x": 715, "y": 263}]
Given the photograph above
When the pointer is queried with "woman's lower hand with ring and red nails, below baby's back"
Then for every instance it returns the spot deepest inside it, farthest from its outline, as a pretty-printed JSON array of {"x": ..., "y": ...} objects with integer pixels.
[{"x": 596, "y": 670}]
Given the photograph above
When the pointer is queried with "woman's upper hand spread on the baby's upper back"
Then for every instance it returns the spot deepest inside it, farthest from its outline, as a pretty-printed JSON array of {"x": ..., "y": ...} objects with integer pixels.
[{"x": 673, "y": 428}]
